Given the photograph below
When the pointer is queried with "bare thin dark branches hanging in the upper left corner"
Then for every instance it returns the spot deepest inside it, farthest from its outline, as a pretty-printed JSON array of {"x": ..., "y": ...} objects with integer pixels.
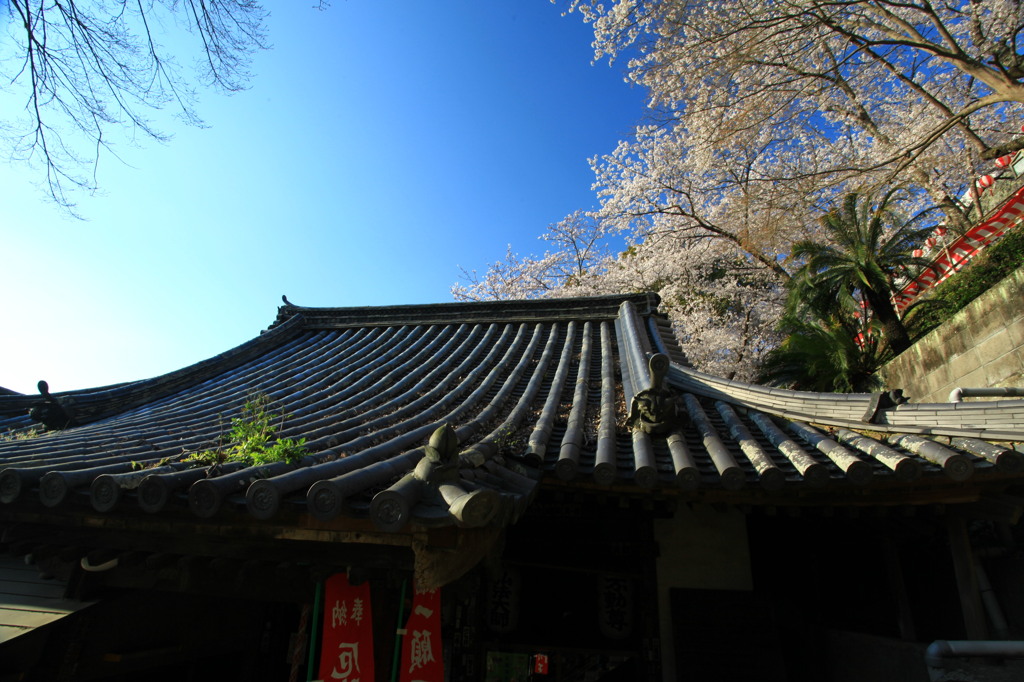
[{"x": 87, "y": 69}]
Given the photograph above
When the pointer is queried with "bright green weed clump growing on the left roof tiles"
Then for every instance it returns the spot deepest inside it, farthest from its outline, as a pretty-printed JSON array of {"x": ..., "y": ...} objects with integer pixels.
[{"x": 251, "y": 440}]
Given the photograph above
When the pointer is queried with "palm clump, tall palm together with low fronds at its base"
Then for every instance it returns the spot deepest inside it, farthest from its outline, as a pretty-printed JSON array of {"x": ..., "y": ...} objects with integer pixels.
[{"x": 841, "y": 326}]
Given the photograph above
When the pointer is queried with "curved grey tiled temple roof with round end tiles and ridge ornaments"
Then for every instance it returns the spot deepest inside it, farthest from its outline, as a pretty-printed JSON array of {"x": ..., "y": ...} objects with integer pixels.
[{"x": 554, "y": 393}]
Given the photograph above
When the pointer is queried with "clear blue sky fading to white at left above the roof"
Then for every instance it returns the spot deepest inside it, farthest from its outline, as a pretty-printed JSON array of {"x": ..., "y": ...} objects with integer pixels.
[{"x": 380, "y": 146}]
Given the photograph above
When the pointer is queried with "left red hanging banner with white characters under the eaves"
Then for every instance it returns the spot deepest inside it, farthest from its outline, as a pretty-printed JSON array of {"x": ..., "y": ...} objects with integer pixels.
[{"x": 348, "y": 645}]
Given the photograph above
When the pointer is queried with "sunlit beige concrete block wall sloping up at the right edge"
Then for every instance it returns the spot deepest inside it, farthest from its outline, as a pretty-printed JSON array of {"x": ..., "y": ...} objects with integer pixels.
[{"x": 983, "y": 347}]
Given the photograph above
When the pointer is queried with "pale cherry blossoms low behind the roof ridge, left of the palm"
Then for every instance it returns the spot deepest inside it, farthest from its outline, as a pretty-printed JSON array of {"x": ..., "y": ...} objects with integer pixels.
[{"x": 723, "y": 306}]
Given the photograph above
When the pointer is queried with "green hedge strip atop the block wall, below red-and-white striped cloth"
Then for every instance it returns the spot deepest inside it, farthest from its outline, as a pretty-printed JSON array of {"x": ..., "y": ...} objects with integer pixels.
[{"x": 985, "y": 272}]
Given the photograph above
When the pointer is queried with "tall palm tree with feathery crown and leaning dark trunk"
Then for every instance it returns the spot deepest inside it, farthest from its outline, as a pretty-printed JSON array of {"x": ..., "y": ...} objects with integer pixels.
[{"x": 870, "y": 244}]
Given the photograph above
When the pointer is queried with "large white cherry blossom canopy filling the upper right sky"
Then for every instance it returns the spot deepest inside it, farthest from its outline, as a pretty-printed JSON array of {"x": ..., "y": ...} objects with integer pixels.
[{"x": 761, "y": 106}]
